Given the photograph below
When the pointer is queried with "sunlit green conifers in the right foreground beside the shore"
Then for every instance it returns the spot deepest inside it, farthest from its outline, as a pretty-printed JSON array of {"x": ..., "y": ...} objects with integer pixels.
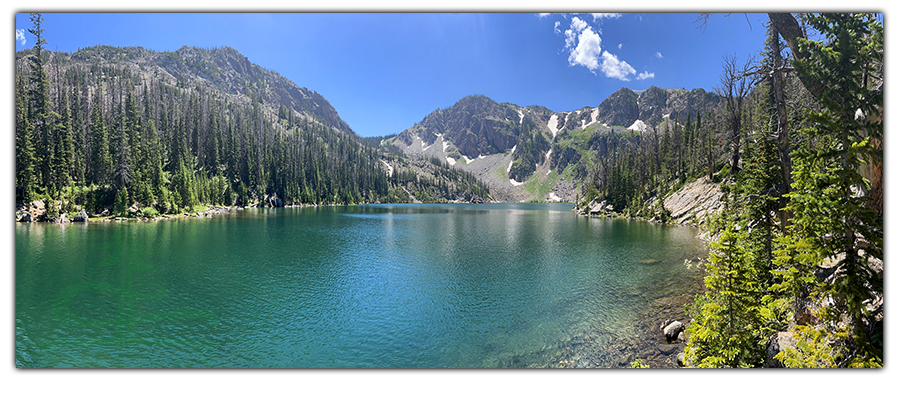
[{"x": 795, "y": 275}]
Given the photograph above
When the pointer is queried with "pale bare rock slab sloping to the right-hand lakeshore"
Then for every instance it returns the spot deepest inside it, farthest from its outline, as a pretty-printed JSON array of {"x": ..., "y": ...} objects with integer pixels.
[{"x": 695, "y": 202}]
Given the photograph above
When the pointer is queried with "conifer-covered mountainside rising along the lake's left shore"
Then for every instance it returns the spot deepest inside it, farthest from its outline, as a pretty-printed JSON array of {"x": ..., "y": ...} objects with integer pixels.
[{"x": 128, "y": 131}]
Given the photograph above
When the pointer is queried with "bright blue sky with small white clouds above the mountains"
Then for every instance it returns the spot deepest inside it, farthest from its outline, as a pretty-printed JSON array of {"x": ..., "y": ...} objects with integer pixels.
[{"x": 384, "y": 72}]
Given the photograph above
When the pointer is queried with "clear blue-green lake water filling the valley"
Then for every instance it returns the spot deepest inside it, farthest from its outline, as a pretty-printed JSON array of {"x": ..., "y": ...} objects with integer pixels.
[{"x": 393, "y": 286}]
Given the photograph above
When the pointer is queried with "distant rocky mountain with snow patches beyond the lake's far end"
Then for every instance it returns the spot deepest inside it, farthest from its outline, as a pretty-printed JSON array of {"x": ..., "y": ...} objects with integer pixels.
[{"x": 533, "y": 153}]
